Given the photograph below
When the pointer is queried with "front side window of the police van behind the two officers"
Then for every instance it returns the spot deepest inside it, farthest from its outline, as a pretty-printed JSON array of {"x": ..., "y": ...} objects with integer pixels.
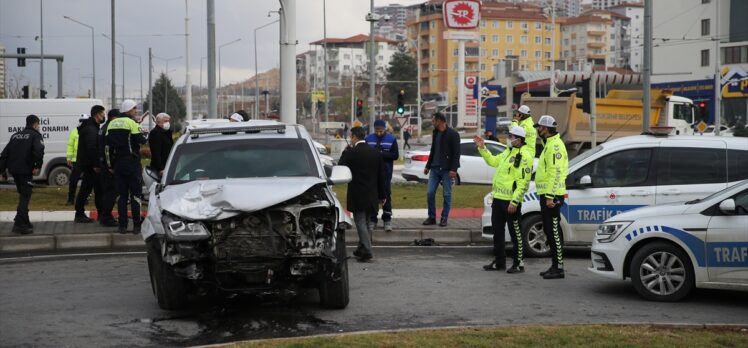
[{"x": 621, "y": 169}]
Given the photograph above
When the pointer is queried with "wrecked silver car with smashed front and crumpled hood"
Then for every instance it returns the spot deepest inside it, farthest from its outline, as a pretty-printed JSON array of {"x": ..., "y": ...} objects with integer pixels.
[{"x": 246, "y": 208}]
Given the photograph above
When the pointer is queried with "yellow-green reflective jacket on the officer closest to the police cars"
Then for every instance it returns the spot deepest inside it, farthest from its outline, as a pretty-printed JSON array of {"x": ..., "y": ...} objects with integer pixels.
[{"x": 553, "y": 167}]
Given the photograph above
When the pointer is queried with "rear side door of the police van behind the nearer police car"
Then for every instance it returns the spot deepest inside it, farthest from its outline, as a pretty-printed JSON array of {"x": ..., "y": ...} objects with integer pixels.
[{"x": 688, "y": 170}]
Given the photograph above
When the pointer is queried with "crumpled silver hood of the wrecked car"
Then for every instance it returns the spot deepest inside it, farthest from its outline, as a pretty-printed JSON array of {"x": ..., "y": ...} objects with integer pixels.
[{"x": 221, "y": 199}]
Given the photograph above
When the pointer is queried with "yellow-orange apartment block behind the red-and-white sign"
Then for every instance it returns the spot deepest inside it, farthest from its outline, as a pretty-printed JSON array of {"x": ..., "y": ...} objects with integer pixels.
[{"x": 516, "y": 32}]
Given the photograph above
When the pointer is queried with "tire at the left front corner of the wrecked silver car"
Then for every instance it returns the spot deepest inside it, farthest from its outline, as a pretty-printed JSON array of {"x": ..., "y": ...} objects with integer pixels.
[{"x": 169, "y": 290}]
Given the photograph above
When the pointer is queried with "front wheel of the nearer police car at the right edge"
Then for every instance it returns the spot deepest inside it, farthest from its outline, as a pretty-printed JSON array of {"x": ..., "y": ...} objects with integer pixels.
[{"x": 662, "y": 272}]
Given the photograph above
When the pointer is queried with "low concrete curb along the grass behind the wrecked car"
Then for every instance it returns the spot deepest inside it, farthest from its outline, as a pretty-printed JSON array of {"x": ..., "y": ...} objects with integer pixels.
[{"x": 116, "y": 241}]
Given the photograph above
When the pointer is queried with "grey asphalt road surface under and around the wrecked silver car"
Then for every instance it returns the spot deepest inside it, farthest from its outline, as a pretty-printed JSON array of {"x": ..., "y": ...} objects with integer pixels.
[{"x": 107, "y": 301}]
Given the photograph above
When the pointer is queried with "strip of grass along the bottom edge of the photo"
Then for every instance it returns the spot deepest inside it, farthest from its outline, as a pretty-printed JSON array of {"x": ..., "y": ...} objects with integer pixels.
[{"x": 529, "y": 336}]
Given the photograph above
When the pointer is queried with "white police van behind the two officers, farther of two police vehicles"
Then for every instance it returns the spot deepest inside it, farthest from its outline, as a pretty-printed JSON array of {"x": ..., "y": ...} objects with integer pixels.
[{"x": 628, "y": 173}]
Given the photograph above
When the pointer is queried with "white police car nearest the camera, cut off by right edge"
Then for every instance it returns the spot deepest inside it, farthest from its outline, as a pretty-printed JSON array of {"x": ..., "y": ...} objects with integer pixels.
[{"x": 668, "y": 250}]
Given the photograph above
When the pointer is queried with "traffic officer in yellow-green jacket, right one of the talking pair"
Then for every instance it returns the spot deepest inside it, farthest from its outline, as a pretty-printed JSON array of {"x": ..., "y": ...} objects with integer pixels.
[{"x": 550, "y": 180}]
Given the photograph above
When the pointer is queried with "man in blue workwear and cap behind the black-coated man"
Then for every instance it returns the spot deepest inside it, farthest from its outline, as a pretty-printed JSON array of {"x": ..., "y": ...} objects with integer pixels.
[{"x": 386, "y": 144}]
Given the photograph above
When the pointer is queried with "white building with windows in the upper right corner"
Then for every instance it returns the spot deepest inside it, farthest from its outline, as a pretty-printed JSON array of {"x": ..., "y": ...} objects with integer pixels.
[{"x": 683, "y": 55}]
